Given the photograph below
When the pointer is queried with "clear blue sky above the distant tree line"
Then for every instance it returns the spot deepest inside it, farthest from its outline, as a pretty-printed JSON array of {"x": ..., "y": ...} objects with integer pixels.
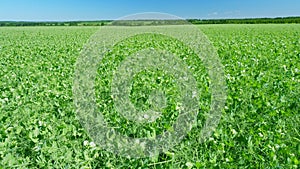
[{"x": 61, "y": 10}]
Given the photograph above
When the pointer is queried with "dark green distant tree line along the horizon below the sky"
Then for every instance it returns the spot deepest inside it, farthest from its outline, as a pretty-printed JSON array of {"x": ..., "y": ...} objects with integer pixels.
[{"x": 279, "y": 20}]
